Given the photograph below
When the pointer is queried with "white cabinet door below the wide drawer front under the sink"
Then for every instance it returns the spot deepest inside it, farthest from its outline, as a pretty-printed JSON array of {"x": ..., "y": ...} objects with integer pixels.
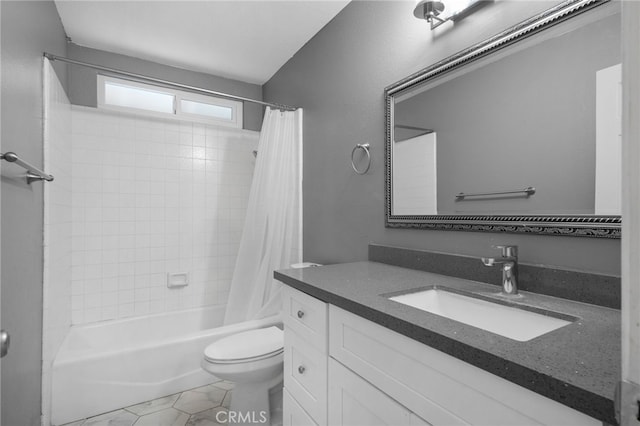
[{"x": 354, "y": 401}]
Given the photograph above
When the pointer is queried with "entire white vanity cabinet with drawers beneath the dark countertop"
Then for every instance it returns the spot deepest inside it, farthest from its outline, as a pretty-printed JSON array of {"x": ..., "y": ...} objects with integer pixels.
[{"x": 375, "y": 376}]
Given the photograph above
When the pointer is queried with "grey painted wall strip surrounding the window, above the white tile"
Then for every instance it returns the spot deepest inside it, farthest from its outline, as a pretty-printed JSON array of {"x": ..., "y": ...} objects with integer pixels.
[{"x": 83, "y": 86}]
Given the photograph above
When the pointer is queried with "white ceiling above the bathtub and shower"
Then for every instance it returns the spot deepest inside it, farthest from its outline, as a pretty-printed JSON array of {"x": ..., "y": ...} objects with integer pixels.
[{"x": 243, "y": 40}]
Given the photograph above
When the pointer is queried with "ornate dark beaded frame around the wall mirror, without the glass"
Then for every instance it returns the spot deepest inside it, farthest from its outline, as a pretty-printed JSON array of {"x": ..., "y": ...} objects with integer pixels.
[{"x": 569, "y": 225}]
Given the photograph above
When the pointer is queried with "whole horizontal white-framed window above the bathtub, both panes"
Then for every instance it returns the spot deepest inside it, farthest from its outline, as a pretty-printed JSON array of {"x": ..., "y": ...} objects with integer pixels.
[{"x": 124, "y": 95}]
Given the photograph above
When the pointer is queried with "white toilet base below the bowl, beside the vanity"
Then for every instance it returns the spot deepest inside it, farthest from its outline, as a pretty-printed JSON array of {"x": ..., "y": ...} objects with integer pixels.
[{"x": 250, "y": 402}]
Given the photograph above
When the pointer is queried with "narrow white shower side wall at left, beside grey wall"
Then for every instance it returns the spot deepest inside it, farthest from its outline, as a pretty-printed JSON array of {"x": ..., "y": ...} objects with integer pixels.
[{"x": 57, "y": 228}]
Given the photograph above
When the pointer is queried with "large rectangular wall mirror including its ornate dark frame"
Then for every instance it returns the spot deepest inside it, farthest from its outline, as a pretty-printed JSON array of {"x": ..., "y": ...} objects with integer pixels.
[{"x": 518, "y": 133}]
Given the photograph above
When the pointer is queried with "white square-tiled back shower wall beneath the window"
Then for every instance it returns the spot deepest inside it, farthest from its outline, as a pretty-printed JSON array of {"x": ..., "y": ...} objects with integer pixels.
[{"x": 153, "y": 197}]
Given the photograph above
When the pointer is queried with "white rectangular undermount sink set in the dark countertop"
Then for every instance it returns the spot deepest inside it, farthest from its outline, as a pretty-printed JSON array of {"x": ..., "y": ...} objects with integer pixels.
[{"x": 517, "y": 322}]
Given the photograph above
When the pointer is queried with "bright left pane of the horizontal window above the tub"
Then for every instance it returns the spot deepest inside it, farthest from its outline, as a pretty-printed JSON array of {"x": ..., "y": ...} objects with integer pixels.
[{"x": 135, "y": 97}]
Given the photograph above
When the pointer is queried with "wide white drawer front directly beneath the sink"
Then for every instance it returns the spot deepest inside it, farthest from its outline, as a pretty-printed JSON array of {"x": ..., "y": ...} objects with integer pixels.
[{"x": 437, "y": 387}]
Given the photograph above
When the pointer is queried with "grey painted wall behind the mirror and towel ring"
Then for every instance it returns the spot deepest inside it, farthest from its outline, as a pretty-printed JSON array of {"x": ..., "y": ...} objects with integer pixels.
[{"x": 338, "y": 77}]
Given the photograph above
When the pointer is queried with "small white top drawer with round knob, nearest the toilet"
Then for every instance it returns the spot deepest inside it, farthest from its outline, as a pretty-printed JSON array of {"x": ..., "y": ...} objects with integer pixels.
[{"x": 307, "y": 316}]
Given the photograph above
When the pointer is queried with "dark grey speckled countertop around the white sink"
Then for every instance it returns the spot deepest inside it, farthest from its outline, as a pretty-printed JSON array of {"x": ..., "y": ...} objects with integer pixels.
[{"x": 577, "y": 365}]
